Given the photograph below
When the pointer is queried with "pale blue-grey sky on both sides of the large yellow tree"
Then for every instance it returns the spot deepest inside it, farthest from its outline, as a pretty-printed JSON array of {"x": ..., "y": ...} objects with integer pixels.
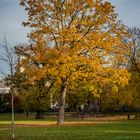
[{"x": 12, "y": 15}]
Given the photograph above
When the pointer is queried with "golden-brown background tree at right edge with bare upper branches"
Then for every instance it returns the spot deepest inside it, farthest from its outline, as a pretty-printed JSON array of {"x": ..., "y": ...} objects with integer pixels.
[{"x": 129, "y": 95}]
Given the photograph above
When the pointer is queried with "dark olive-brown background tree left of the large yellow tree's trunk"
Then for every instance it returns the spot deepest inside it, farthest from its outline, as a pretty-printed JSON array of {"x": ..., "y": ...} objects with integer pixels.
[{"x": 32, "y": 96}]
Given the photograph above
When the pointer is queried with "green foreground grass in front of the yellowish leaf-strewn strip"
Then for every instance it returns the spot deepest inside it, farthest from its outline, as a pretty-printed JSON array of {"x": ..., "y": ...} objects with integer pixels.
[{"x": 128, "y": 130}]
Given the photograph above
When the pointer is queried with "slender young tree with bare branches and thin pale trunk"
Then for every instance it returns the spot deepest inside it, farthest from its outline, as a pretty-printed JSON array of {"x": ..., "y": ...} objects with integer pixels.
[{"x": 8, "y": 57}]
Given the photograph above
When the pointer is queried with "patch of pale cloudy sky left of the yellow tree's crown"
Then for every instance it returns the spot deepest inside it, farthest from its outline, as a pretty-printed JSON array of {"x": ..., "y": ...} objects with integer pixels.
[{"x": 11, "y": 17}]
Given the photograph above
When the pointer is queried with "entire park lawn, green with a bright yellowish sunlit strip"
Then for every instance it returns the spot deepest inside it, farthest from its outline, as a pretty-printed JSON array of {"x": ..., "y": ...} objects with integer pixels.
[{"x": 73, "y": 129}]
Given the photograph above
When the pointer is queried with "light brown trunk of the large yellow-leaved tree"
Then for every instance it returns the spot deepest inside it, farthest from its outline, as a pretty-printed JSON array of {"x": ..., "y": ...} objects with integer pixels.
[{"x": 61, "y": 112}]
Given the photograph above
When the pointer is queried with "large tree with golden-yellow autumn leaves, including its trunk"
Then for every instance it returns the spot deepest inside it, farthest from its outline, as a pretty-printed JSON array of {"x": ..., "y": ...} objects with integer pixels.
[{"x": 73, "y": 39}]
